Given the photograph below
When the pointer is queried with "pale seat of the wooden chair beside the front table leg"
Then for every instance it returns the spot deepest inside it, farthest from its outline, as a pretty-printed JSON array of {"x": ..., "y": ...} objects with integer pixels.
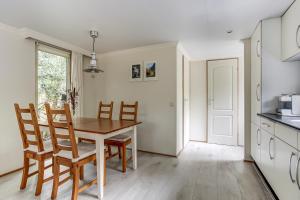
[{"x": 84, "y": 150}]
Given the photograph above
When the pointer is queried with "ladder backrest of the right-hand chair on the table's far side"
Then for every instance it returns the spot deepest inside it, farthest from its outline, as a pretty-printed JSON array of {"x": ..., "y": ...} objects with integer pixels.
[{"x": 128, "y": 111}]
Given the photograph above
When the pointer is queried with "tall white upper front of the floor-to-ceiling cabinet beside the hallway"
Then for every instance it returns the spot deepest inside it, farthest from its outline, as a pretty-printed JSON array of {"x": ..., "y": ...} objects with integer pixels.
[{"x": 256, "y": 74}]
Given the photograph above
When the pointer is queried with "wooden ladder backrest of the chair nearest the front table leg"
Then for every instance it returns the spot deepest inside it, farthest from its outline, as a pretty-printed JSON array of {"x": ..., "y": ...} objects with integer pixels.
[{"x": 62, "y": 141}]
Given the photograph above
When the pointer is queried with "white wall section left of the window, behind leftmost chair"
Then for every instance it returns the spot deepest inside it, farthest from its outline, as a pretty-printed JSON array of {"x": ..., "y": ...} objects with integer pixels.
[{"x": 17, "y": 84}]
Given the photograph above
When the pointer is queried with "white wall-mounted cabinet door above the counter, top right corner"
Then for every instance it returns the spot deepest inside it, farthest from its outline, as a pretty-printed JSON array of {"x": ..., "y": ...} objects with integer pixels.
[{"x": 290, "y": 31}]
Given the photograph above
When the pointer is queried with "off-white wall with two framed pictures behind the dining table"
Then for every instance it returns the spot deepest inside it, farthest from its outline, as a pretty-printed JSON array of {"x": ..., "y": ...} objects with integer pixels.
[{"x": 157, "y": 99}]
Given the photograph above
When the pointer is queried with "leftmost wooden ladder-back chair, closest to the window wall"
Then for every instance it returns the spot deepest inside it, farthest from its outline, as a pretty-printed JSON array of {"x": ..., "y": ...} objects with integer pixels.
[{"x": 33, "y": 146}]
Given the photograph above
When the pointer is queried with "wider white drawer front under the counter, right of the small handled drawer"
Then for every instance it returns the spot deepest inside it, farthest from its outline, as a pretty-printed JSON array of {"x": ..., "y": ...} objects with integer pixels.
[{"x": 288, "y": 135}]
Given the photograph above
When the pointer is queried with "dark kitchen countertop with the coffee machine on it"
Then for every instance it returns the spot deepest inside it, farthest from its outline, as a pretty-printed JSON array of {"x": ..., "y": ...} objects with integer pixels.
[{"x": 293, "y": 122}]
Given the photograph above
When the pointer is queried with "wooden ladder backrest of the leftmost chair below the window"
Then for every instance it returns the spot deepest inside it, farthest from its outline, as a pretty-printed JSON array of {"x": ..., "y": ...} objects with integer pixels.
[{"x": 27, "y": 119}]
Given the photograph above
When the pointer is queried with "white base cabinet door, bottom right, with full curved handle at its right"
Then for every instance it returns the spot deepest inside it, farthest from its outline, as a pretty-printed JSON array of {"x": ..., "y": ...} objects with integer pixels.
[{"x": 285, "y": 162}]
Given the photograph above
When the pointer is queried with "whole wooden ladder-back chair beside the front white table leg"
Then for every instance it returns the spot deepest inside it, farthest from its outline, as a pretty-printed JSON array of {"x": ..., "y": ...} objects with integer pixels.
[{"x": 67, "y": 152}]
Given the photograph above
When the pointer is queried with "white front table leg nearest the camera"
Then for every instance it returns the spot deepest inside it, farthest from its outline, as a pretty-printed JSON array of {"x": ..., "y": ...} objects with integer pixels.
[{"x": 100, "y": 165}]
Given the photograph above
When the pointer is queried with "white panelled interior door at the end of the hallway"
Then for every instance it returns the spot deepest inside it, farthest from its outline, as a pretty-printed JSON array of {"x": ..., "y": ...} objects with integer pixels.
[{"x": 222, "y": 101}]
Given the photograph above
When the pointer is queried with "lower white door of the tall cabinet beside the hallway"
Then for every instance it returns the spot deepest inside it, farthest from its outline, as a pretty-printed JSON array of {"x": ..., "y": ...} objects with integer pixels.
[{"x": 255, "y": 143}]
